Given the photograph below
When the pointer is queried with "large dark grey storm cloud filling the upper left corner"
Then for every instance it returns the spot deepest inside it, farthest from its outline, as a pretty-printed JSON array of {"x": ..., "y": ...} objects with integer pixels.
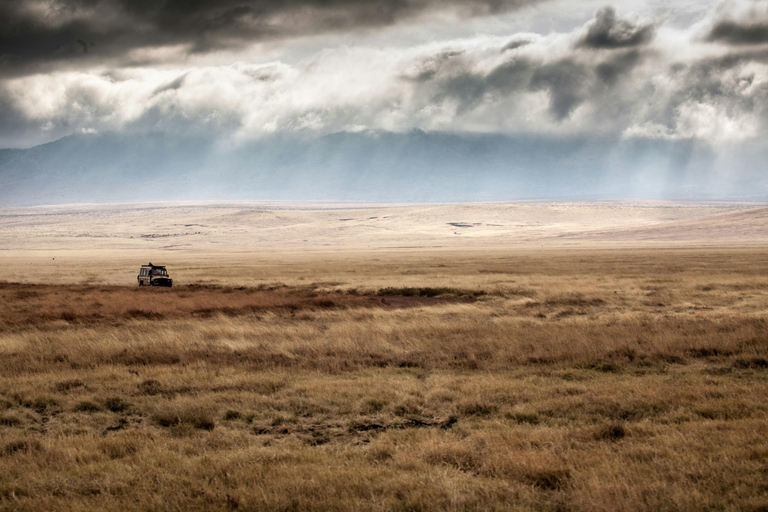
[{"x": 71, "y": 31}]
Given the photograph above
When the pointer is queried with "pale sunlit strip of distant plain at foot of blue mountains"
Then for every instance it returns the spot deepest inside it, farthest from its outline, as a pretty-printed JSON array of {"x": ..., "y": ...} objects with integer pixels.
[{"x": 160, "y": 228}]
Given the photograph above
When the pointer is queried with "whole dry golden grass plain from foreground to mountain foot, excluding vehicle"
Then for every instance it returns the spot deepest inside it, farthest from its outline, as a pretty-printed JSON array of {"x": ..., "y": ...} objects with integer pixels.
[{"x": 541, "y": 360}]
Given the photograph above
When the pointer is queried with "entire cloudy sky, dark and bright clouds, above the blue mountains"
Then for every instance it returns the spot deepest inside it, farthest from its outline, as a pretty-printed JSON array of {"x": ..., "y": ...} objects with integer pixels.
[{"x": 238, "y": 70}]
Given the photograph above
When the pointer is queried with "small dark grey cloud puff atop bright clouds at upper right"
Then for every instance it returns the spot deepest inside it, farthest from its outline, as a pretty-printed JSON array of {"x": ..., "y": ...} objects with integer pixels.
[{"x": 608, "y": 31}]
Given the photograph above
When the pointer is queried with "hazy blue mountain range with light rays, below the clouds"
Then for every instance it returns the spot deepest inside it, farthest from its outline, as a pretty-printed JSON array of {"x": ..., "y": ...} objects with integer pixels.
[{"x": 372, "y": 166}]
